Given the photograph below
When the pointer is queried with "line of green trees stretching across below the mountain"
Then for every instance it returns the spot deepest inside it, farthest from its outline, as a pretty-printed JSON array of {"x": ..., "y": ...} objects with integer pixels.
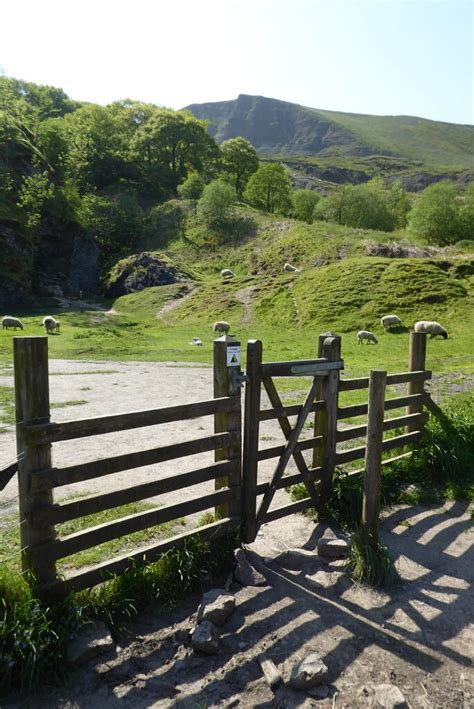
[{"x": 67, "y": 166}]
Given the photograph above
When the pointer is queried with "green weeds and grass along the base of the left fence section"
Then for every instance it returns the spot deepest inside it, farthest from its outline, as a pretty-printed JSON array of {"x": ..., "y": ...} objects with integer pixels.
[{"x": 33, "y": 632}]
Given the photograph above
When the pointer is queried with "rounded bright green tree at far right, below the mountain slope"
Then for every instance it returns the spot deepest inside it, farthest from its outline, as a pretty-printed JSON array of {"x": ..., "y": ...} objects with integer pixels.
[{"x": 435, "y": 215}]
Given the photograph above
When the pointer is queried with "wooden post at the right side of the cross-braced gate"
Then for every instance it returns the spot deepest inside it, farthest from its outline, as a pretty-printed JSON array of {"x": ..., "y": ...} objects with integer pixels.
[{"x": 325, "y": 421}]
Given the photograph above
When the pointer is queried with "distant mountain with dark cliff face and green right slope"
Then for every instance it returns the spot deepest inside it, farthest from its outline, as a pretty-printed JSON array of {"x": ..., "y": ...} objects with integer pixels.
[{"x": 289, "y": 130}]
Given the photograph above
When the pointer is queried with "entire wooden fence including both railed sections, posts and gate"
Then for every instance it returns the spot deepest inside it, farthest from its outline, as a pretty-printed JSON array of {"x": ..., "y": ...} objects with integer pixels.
[{"x": 237, "y": 492}]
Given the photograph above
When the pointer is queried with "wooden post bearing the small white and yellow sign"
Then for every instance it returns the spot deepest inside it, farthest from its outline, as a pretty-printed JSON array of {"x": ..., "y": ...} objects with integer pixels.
[{"x": 226, "y": 383}]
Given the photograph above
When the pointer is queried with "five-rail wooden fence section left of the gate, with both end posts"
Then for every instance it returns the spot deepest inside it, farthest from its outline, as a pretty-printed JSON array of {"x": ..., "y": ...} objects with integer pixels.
[{"x": 37, "y": 477}]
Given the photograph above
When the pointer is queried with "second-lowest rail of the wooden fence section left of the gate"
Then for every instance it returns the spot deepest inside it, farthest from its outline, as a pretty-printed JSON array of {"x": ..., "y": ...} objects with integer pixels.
[{"x": 93, "y": 536}]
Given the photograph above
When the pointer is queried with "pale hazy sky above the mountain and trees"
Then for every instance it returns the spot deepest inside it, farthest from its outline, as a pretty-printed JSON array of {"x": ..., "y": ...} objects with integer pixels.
[{"x": 374, "y": 56}]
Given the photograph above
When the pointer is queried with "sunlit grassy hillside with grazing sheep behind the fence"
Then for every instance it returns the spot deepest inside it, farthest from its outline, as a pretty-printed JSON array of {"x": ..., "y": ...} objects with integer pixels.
[{"x": 340, "y": 288}]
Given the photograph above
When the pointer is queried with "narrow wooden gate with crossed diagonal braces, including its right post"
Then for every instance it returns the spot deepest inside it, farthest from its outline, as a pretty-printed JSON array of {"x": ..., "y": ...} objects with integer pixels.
[{"x": 321, "y": 400}]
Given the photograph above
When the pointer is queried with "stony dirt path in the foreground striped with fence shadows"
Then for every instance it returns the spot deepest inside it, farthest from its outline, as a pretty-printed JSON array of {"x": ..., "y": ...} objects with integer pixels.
[{"x": 419, "y": 637}]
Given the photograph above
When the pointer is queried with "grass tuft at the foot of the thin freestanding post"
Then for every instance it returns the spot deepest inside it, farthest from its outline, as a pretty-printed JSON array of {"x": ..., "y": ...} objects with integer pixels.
[{"x": 369, "y": 561}]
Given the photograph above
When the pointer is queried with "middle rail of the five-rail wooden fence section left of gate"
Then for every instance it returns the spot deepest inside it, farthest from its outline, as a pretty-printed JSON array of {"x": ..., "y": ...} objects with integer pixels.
[{"x": 66, "y": 511}]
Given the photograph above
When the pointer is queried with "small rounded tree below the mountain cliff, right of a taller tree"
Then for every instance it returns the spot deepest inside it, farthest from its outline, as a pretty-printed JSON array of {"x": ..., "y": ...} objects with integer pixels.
[{"x": 270, "y": 188}]
